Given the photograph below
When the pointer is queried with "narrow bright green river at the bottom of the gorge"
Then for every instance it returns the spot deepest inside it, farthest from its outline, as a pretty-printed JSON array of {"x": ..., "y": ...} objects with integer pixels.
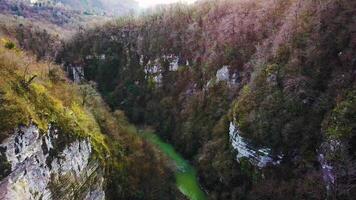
[{"x": 186, "y": 177}]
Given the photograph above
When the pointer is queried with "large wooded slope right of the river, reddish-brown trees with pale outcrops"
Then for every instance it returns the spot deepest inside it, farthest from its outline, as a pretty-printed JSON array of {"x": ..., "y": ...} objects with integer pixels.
[{"x": 278, "y": 75}]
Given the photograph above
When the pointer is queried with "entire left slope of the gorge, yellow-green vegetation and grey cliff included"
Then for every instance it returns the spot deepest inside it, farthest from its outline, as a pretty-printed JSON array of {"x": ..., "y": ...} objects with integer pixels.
[{"x": 58, "y": 140}]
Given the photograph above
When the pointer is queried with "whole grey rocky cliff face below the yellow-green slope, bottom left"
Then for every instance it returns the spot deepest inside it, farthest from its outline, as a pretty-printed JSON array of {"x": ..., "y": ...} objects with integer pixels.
[{"x": 48, "y": 166}]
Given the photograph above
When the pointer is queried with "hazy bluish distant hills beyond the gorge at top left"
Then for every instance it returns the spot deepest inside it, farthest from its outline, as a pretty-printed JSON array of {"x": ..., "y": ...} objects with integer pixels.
[{"x": 62, "y": 17}]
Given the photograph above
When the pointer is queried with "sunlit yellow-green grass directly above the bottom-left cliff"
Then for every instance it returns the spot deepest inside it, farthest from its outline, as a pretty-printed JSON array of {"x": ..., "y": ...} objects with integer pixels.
[{"x": 51, "y": 99}]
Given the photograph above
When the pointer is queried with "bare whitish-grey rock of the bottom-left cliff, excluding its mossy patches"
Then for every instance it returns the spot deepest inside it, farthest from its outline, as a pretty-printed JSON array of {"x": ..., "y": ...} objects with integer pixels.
[{"x": 31, "y": 175}]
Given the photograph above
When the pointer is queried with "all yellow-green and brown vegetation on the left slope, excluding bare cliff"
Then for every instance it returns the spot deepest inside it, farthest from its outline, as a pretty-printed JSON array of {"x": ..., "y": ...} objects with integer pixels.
[{"x": 39, "y": 93}]
